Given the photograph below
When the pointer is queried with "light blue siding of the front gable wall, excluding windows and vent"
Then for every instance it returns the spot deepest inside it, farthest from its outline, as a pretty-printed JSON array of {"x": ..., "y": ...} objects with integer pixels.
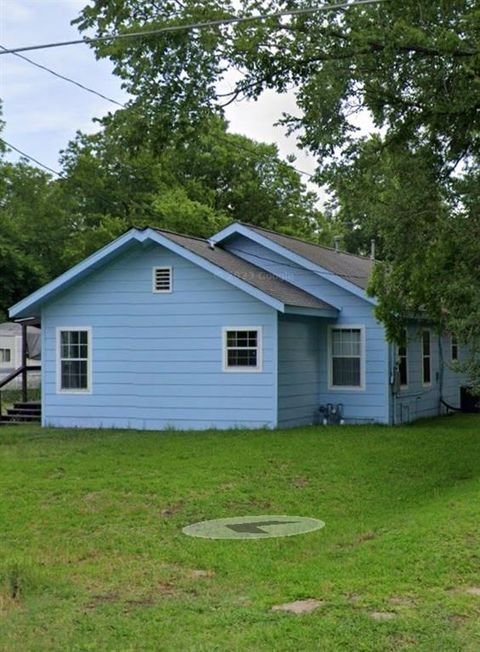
[{"x": 157, "y": 358}]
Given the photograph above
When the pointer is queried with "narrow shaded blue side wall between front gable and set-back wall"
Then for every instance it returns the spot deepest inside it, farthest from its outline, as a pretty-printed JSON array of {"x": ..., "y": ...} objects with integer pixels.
[{"x": 298, "y": 370}]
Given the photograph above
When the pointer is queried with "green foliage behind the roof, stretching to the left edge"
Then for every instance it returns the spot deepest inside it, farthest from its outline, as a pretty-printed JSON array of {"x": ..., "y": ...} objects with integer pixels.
[{"x": 116, "y": 178}]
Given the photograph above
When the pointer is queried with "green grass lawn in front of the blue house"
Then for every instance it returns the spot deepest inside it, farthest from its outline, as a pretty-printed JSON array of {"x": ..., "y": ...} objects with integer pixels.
[{"x": 92, "y": 556}]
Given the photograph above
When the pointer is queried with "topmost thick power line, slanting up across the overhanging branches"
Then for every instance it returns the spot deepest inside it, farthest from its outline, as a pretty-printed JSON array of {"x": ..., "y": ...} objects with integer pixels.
[{"x": 211, "y": 23}]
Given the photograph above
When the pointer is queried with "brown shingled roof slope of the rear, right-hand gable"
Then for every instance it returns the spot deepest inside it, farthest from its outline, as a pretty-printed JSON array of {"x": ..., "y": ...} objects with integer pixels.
[{"x": 356, "y": 269}]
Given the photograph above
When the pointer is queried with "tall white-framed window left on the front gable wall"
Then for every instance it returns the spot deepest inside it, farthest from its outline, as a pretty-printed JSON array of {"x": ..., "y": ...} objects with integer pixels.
[{"x": 74, "y": 357}]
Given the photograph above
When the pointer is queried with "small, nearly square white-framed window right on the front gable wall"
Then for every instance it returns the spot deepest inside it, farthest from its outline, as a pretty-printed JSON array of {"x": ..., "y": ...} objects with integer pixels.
[{"x": 242, "y": 349}]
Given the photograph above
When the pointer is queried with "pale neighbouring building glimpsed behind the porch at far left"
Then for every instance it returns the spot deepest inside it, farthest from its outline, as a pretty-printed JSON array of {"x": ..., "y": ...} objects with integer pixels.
[{"x": 11, "y": 352}]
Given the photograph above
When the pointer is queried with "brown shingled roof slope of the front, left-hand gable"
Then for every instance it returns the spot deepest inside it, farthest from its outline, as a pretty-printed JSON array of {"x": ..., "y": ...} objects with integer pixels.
[{"x": 259, "y": 278}]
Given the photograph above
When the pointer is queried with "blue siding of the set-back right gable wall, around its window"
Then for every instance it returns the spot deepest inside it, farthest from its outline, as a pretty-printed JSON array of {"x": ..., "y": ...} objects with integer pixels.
[{"x": 370, "y": 404}]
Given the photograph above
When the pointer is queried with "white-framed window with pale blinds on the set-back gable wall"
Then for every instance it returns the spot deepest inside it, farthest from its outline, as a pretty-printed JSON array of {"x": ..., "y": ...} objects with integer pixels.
[{"x": 346, "y": 358}]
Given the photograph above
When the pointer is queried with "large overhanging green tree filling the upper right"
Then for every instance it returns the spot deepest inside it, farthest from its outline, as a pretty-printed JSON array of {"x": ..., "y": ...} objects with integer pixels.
[{"x": 413, "y": 67}]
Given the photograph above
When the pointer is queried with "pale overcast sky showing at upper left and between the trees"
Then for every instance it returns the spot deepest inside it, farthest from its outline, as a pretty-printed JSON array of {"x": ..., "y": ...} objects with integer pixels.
[{"x": 43, "y": 113}]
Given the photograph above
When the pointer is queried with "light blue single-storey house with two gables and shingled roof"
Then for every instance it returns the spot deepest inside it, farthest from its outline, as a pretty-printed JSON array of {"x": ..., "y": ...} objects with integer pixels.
[{"x": 251, "y": 328}]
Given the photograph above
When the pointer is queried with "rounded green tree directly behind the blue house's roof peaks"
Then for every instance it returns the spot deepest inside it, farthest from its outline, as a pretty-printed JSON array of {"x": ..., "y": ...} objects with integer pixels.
[{"x": 196, "y": 183}]
